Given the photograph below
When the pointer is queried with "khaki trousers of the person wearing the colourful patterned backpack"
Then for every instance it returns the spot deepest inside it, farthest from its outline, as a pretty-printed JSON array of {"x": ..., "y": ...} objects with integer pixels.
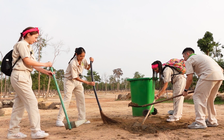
[{"x": 178, "y": 88}]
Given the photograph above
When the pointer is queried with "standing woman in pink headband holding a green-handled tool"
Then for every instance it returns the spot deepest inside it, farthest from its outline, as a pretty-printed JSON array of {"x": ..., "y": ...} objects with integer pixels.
[{"x": 22, "y": 84}]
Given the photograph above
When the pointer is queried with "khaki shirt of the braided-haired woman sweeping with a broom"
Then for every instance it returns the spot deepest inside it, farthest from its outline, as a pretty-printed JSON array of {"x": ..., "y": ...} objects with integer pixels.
[{"x": 74, "y": 69}]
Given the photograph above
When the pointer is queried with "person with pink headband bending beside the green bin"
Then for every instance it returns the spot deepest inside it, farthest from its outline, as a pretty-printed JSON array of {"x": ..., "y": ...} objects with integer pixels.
[{"x": 178, "y": 82}]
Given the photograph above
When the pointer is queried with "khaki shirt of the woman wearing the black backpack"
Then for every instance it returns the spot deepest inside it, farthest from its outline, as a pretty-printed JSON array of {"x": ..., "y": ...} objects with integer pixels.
[{"x": 22, "y": 49}]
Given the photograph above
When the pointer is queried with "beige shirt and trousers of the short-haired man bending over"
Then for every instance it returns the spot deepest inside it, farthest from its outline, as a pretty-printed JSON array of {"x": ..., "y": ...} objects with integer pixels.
[{"x": 210, "y": 76}]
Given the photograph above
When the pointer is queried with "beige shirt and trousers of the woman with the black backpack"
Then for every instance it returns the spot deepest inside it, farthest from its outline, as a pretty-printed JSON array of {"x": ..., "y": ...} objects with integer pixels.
[{"x": 22, "y": 84}]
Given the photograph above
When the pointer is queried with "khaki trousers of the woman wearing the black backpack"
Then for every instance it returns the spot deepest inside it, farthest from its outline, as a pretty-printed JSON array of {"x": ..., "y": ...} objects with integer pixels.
[{"x": 24, "y": 99}]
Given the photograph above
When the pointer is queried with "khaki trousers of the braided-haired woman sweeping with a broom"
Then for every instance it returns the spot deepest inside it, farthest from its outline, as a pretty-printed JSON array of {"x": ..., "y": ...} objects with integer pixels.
[{"x": 69, "y": 87}]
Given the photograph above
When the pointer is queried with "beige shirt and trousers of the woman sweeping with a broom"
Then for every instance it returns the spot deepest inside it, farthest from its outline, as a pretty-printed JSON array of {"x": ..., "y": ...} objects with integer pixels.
[{"x": 70, "y": 84}]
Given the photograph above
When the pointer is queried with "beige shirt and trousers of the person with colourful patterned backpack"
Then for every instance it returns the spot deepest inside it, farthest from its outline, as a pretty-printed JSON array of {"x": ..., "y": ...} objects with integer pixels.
[{"x": 179, "y": 83}]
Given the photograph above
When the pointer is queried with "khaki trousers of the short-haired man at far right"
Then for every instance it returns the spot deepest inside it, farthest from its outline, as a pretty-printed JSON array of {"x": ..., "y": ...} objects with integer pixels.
[{"x": 204, "y": 97}]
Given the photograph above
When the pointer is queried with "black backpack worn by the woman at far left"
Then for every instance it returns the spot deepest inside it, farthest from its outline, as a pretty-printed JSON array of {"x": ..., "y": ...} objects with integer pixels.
[{"x": 6, "y": 66}]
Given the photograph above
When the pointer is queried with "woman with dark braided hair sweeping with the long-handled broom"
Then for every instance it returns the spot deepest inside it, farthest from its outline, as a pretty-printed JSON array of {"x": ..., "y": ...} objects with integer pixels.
[{"x": 73, "y": 82}]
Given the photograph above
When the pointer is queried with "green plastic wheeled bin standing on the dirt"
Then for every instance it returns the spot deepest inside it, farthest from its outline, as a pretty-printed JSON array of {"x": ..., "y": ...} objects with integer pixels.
[{"x": 142, "y": 92}]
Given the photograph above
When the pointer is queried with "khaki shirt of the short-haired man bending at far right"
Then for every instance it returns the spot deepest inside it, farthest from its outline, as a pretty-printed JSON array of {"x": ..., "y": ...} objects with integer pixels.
[{"x": 204, "y": 66}]
